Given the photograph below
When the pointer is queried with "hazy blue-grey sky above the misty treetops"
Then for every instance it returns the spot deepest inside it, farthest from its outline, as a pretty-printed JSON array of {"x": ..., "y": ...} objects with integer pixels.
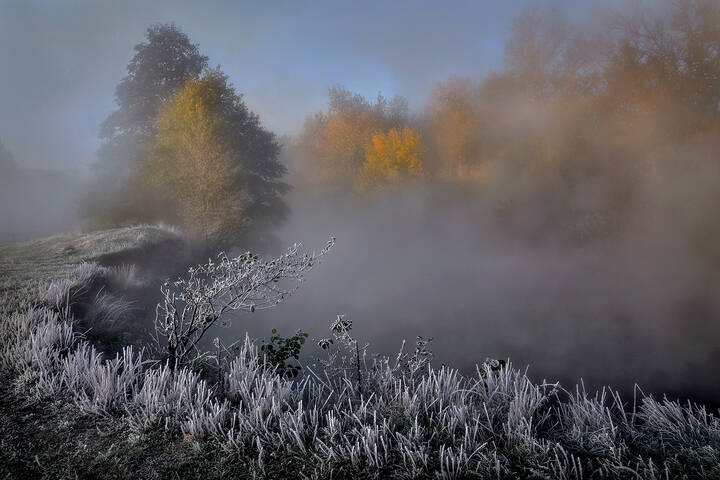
[{"x": 62, "y": 59}]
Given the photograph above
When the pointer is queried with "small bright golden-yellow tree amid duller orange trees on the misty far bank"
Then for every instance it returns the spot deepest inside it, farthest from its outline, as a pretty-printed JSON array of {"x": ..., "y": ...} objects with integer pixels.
[{"x": 392, "y": 156}]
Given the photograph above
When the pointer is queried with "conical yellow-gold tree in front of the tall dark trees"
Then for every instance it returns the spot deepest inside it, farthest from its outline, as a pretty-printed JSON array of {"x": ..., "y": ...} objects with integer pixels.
[{"x": 191, "y": 161}]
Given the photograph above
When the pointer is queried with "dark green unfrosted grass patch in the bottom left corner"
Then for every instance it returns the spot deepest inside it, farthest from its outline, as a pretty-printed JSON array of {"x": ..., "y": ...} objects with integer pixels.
[{"x": 51, "y": 439}]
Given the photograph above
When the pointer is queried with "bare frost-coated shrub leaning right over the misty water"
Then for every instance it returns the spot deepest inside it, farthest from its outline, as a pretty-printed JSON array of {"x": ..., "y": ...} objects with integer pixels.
[{"x": 191, "y": 306}]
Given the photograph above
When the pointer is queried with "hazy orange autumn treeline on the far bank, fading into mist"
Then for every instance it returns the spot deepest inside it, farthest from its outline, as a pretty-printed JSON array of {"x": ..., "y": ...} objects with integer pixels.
[{"x": 586, "y": 123}]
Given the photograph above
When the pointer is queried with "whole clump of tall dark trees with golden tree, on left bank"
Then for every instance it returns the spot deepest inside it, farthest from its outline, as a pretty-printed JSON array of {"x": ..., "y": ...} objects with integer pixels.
[{"x": 178, "y": 119}]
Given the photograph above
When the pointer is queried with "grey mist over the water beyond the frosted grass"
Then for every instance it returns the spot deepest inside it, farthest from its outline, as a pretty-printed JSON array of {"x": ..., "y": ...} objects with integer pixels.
[{"x": 635, "y": 308}]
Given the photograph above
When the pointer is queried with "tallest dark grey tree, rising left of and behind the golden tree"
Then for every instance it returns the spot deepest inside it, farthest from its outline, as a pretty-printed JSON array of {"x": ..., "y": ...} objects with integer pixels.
[{"x": 159, "y": 68}]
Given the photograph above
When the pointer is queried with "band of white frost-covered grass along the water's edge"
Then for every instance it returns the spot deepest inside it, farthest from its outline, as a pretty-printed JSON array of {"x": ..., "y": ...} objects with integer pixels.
[{"x": 353, "y": 414}]
